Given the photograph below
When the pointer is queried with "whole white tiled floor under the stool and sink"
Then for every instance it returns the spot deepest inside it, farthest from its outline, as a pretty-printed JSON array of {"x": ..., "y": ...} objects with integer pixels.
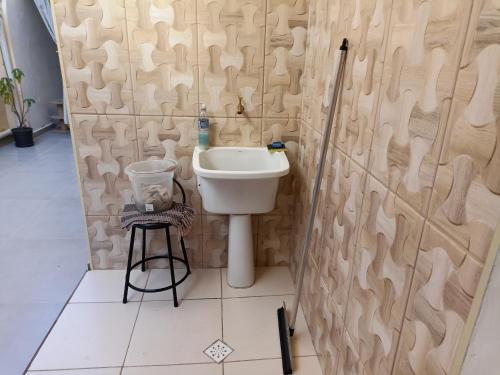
[{"x": 98, "y": 335}]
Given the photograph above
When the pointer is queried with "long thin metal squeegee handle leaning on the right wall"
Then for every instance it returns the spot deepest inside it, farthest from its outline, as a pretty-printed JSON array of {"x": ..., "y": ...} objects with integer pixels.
[{"x": 317, "y": 182}]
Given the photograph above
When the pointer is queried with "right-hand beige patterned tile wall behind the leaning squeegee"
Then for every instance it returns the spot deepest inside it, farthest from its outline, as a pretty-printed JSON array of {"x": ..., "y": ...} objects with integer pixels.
[{"x": 411, "y": 192}]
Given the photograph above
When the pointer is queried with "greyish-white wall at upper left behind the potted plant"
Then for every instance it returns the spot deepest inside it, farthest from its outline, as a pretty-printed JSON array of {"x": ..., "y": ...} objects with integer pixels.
[{"x": 36, "y": 54}]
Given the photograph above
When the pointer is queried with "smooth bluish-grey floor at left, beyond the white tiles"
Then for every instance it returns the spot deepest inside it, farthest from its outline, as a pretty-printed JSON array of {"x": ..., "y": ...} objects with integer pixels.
[{"x": 43, "y": 250}]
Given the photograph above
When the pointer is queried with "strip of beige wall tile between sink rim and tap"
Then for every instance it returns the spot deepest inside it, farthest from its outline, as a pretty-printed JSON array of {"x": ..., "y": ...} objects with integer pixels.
[{"x": 235, "y": 131}]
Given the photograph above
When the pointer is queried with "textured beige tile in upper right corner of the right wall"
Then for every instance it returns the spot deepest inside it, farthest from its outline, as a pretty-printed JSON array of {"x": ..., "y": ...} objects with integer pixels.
[{"x": 466, "y": 200}]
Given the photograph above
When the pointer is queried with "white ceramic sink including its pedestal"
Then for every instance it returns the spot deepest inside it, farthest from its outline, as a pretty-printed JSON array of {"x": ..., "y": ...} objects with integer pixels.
[{"x": 239, "y": 181}]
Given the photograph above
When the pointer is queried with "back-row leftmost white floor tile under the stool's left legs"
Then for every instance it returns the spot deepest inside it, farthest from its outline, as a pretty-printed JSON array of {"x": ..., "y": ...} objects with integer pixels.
[{"x": 107, "y": 286}]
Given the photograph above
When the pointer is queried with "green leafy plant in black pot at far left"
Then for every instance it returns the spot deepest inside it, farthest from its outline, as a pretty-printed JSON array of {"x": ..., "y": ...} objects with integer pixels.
[{"x": 12, "y": 95}]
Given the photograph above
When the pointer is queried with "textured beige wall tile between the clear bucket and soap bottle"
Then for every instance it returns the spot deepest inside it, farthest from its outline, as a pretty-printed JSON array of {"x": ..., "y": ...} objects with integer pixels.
[{"x": 174, "y": 138}]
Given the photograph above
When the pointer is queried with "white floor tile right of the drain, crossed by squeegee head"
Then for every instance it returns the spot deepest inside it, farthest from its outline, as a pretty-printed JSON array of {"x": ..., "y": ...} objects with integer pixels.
[{"x": 251, "y": 328}]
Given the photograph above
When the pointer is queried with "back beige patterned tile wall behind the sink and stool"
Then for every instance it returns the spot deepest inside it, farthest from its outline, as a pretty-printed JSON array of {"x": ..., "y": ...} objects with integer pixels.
[{"x": 136, "y": 72}]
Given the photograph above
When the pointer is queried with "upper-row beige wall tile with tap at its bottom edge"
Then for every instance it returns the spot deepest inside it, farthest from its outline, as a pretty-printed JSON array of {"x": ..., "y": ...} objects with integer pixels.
[{"x": 231, "y": 55}]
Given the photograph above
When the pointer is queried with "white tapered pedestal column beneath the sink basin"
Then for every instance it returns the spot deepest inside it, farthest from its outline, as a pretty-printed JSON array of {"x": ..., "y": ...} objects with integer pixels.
[{"x": 240, "y": 272}]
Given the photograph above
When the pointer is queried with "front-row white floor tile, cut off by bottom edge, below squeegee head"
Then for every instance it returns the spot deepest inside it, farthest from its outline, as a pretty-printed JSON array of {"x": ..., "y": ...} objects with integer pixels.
[{"x": 301, "y": 366}]
